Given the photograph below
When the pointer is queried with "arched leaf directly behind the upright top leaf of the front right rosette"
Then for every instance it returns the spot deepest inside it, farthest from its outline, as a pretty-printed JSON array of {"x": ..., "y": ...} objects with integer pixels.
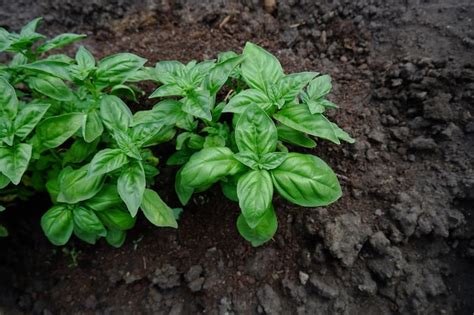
[{"x": 240, "y": 102}]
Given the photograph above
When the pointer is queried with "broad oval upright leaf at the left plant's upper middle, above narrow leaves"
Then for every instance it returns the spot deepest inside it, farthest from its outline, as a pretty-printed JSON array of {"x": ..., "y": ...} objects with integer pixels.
[{"x": 115, "y": 114}]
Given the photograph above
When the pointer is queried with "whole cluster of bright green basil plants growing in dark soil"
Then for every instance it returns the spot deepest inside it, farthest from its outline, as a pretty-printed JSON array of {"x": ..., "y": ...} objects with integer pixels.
[{"x": 66, "y": 130}]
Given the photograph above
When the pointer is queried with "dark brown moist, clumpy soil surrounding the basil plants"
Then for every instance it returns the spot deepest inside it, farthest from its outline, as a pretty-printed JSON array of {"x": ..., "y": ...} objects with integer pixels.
[{"x": 400, "y": 240}]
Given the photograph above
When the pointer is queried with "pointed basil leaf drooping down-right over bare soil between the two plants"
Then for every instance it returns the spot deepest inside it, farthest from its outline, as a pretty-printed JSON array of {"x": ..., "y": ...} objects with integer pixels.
[{"x": 156, "y": 211}]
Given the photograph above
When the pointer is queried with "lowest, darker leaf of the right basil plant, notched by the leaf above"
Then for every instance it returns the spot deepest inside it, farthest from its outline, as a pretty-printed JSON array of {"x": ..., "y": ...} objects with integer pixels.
[{"x": 263, "y": 232}]
